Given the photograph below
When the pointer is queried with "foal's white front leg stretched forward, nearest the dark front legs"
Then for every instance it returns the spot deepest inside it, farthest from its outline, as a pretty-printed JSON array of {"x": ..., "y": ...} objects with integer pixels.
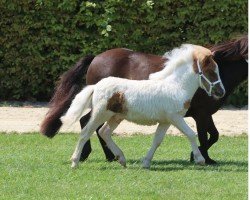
[{"x": 179, "y": 123}]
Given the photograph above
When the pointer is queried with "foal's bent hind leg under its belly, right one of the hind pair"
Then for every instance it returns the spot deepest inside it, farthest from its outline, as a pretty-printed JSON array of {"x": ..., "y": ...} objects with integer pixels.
[{"x": 105, "y": 133}]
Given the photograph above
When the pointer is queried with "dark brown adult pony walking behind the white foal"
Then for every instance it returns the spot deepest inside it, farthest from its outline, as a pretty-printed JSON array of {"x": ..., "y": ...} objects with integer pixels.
[{"x": 231, "y": 58}]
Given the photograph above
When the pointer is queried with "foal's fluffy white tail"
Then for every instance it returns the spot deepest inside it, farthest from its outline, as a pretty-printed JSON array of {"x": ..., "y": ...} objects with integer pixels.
[{"x": 81, "y": 105}]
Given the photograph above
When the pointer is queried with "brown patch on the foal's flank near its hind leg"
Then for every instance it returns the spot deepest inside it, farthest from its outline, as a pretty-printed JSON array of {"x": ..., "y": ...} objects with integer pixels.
[{"x": 117, "y": 103}]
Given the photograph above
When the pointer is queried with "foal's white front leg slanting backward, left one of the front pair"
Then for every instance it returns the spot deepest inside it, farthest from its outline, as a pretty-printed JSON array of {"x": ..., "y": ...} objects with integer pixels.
[{"x": 159, "y": 135}]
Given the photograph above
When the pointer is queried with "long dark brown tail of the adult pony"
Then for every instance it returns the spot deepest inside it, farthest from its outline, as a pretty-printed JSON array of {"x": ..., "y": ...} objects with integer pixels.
[{"x": 68, "y": 86}]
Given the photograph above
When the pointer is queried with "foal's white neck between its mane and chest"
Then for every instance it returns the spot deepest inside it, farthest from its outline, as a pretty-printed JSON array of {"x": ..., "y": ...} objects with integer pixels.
[{"x": 186, "y": 78}]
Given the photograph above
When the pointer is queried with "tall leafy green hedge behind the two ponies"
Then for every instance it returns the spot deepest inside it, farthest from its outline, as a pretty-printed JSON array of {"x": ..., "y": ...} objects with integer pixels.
[{"x": 40, "y": 39}]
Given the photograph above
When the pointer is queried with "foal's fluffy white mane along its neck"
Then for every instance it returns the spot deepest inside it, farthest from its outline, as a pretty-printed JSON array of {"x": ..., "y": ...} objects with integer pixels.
[{"x": 175, "y": 58}]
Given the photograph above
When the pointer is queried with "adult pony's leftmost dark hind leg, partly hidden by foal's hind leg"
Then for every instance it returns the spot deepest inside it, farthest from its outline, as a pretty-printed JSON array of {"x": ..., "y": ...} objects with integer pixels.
[{"x": 87, "y": 147}]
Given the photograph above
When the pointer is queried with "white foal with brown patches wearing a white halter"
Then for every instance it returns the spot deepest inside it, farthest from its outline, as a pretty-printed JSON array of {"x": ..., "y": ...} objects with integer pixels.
[{"x": 164, "y": 100}]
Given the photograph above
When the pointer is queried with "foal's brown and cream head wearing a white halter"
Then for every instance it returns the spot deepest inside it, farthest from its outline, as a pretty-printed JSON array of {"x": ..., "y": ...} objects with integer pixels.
[{"x": 208, "y": 71}]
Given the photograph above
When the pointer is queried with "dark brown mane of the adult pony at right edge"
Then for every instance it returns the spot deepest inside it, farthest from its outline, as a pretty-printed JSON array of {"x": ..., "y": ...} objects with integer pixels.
[{"x": 235, "y": 49}]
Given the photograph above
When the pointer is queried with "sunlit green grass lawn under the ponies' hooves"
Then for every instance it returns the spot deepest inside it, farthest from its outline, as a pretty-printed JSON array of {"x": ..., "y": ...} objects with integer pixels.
[{"x": 34, "y": 167}]
